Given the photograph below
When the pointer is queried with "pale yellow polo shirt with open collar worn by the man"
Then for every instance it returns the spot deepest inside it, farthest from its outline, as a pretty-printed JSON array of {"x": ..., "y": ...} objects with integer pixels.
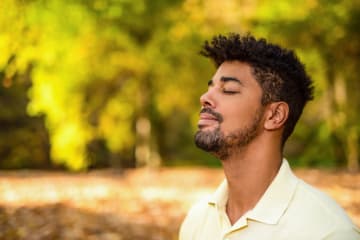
[{"x": 290, "y": 209}]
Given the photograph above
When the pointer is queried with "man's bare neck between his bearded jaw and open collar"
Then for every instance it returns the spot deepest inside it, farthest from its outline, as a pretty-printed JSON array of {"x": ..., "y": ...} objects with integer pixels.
[{"x": 249, "y": 172}]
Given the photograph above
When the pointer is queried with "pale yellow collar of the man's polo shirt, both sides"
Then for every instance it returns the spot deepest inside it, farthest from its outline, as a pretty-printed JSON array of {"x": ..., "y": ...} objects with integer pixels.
[{"x": 274, "y": 201}]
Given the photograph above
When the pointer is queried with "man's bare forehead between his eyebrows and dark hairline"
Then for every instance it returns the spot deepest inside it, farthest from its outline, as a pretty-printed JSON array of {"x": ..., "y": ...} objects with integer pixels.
[{"x": 236, "y": 69}]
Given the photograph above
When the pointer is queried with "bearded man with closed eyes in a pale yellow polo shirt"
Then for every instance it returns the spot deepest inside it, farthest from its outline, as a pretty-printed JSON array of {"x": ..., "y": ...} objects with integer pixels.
[{"x": 250, "y": 109}]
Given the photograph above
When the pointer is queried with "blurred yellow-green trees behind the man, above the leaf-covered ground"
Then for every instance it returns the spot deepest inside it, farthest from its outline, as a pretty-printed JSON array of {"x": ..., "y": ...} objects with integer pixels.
[{"x": 118, "y": 82}]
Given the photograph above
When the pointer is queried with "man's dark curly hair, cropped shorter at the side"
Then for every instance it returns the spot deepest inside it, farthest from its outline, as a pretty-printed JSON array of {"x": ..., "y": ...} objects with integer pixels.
[{"x": 279, "y": 72}]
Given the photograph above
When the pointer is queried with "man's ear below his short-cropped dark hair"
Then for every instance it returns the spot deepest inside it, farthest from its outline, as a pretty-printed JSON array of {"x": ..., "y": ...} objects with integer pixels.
[{"x": 276, "y": 115}]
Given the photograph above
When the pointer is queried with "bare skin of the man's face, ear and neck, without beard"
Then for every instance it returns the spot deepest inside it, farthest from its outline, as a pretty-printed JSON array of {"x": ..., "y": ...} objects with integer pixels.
[{"x": 249, "y": 169}]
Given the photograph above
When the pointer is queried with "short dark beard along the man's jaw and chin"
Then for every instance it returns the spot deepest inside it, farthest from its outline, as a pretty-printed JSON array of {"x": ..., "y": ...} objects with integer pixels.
[{"x": 221, "y": 145}]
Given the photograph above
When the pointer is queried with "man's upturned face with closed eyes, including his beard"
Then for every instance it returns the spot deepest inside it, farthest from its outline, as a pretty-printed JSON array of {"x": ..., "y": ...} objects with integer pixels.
[{"x": 231, "y": 110}]
